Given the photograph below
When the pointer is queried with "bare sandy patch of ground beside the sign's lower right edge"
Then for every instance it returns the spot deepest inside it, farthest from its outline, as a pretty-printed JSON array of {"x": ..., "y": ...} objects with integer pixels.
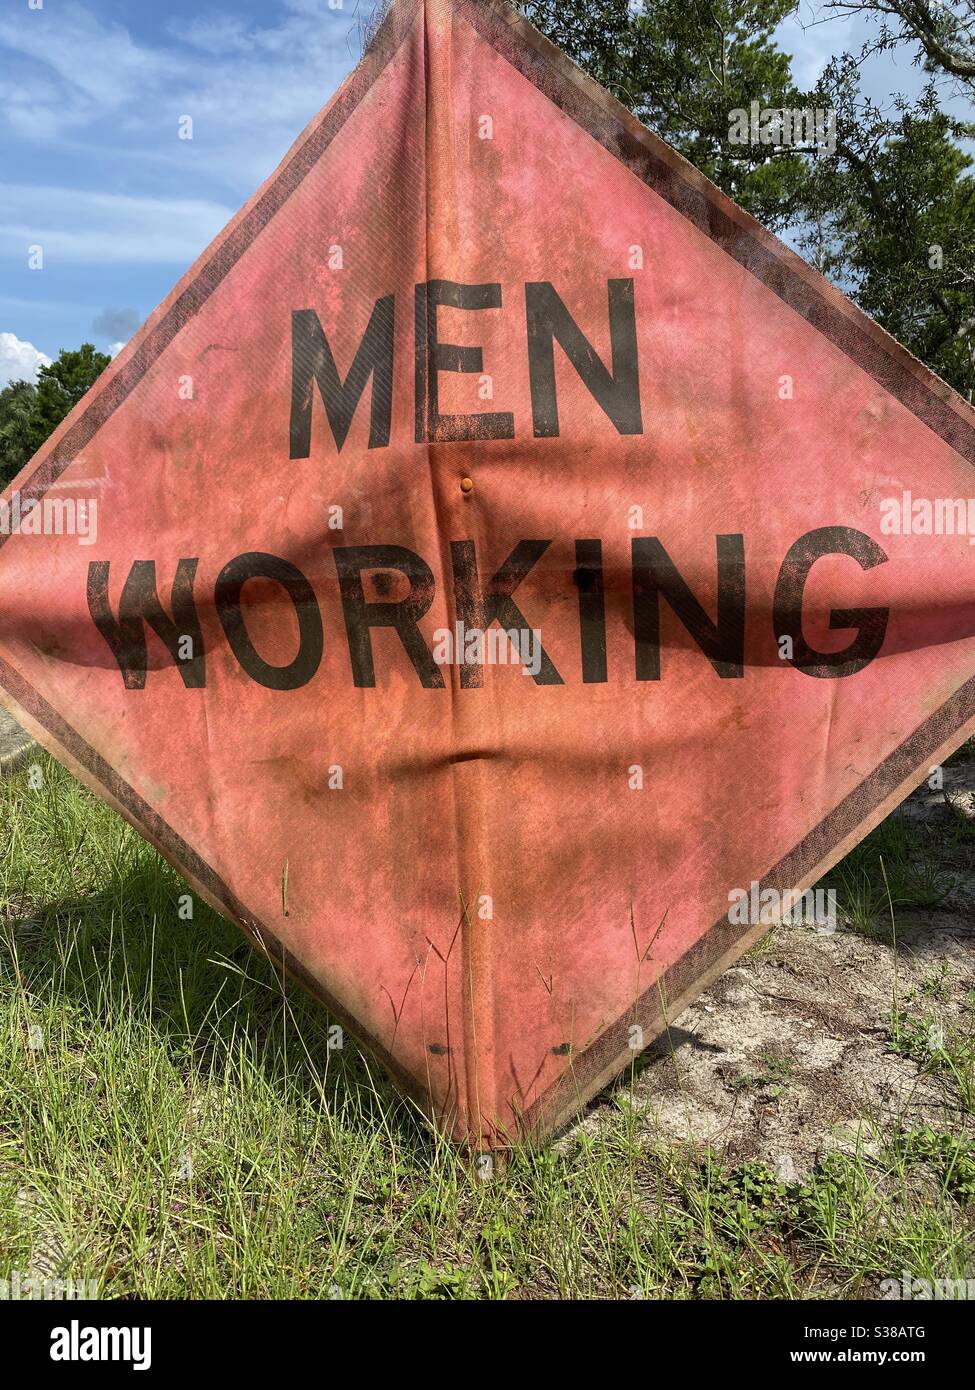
[{"x": 816, "y": 1042}]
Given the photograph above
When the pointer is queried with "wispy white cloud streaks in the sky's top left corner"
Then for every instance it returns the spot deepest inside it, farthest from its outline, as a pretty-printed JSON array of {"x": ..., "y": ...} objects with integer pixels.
[{"x": 251, "y": 87}]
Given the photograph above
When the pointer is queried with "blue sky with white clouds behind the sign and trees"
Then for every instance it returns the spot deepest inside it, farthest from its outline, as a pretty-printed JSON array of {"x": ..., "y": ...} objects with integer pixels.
[{"x": 94, "y": 172}]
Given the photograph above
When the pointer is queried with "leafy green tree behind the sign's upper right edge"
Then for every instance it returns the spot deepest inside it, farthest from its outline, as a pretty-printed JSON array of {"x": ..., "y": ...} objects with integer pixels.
[{"x": 889, "y": 215}]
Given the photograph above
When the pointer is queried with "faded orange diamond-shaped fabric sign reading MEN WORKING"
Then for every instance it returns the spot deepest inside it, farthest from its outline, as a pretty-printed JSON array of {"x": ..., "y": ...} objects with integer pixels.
[{"x": 513, "y": 548}]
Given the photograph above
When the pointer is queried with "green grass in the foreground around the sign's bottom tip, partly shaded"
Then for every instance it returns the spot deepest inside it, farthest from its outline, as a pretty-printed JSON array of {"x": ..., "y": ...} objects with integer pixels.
[{"x": 173, "y": 1124}]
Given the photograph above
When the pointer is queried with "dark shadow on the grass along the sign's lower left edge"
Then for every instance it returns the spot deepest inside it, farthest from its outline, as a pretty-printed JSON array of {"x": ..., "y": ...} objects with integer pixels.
[{"x": 195, "y": 986}]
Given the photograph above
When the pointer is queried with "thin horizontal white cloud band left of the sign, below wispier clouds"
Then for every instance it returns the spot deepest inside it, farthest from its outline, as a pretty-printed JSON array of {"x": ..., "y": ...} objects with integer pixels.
[{"x": 76, "y": 227}]
